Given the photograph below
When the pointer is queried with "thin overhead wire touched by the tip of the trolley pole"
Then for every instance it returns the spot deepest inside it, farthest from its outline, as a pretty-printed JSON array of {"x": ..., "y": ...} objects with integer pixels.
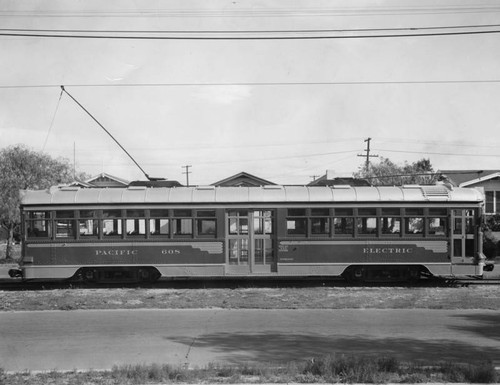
[{"x": 263, "y": 84}]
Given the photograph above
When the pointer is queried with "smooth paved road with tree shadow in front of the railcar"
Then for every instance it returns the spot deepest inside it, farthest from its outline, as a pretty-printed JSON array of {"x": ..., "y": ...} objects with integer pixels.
[{"x": 67, "y": 340}]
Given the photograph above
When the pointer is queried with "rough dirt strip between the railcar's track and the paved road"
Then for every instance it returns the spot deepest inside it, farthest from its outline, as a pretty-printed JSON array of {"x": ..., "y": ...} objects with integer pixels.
[{"x": 318, "y": 297}]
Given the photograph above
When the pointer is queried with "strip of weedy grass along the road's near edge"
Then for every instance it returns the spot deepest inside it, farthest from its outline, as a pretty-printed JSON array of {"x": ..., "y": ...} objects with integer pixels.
[{"x": 325, "y": 369}]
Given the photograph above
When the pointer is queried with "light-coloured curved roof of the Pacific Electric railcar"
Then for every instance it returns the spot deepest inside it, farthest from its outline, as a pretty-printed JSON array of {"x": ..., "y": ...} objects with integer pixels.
[{"x": 267, "y": 194}]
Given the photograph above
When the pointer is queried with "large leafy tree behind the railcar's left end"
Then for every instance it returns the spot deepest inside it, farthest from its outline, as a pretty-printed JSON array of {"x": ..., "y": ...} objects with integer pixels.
[{"x": 21, "y": 169}]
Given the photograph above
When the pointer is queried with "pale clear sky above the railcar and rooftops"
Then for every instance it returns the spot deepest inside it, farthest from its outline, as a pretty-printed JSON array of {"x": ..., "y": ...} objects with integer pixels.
[{"x": 285, "y": 110}]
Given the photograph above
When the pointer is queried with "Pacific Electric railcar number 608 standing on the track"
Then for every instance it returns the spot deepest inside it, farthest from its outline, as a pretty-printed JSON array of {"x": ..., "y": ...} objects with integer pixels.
[{"x": 145, "y": 233}]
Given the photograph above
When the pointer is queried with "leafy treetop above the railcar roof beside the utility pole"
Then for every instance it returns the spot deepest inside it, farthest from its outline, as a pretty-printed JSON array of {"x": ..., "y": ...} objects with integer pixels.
[{"x": 387, "y": 173}]
